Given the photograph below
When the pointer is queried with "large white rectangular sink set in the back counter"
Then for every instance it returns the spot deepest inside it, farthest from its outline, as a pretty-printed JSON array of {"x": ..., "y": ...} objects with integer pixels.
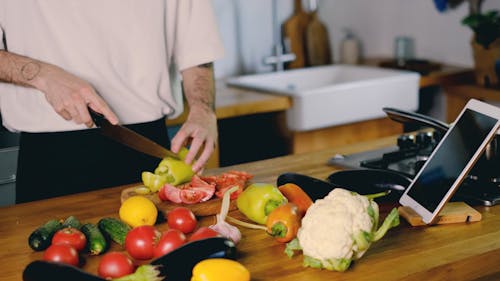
[{"x": 337, "y": 94}]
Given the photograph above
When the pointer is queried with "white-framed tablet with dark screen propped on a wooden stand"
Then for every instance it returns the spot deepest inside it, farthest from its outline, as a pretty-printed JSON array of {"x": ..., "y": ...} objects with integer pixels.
[{"x": 452, "y": 159}]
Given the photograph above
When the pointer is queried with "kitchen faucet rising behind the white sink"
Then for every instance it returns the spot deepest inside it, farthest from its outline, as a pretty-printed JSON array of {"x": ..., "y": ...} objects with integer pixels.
[{"x": 279, "y": 58}]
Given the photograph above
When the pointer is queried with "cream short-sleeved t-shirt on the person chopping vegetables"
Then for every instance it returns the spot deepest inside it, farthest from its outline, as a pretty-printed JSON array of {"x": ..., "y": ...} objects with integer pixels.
[{"x": 123, "y": 48}]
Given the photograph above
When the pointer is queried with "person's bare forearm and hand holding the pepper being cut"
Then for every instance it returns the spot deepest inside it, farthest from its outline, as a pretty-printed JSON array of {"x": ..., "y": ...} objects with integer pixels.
[{"x": 200, "y": 128}]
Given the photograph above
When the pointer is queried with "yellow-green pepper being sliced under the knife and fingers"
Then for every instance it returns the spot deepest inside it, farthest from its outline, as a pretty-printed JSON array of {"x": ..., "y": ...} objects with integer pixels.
[{"x": 175, "y": 171}]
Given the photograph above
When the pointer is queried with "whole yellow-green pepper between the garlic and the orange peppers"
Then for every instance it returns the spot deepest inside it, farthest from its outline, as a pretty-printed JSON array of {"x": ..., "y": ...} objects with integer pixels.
[{"x": 258, "y": 200}]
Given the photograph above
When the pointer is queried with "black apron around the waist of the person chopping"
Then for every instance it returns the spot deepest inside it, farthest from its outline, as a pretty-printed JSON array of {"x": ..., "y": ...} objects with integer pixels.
[{"x": 61, "y": 163}]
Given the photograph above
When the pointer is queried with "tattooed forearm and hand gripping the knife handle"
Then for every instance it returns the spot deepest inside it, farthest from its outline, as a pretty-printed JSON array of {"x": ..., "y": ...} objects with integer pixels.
[{"x": 67, "y": 94}]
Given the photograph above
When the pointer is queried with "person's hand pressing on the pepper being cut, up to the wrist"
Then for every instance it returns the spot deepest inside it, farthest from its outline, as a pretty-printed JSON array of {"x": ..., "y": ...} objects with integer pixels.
[{"x": 200, "y": 131}]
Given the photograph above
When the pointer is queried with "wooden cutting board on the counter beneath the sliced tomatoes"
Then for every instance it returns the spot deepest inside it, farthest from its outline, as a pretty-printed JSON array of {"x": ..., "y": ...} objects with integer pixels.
[{"x": 203, "y": 209}]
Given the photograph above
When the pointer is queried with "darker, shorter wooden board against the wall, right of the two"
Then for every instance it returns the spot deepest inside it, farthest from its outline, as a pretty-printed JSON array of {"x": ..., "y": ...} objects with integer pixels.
[{"x": 317, "y": 42}]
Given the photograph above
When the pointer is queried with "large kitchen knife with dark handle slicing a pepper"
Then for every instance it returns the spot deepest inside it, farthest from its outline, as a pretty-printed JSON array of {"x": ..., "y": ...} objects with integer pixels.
[{"x": 130, "y": 138}]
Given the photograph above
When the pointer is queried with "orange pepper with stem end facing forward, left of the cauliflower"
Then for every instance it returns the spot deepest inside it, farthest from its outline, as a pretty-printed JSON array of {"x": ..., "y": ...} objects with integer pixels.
[{"x": 284, "y": 222}]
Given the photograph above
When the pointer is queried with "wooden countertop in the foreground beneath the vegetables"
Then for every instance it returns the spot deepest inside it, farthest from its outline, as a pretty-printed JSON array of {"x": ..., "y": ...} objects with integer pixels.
[{"x": 444, "y": 252}]
